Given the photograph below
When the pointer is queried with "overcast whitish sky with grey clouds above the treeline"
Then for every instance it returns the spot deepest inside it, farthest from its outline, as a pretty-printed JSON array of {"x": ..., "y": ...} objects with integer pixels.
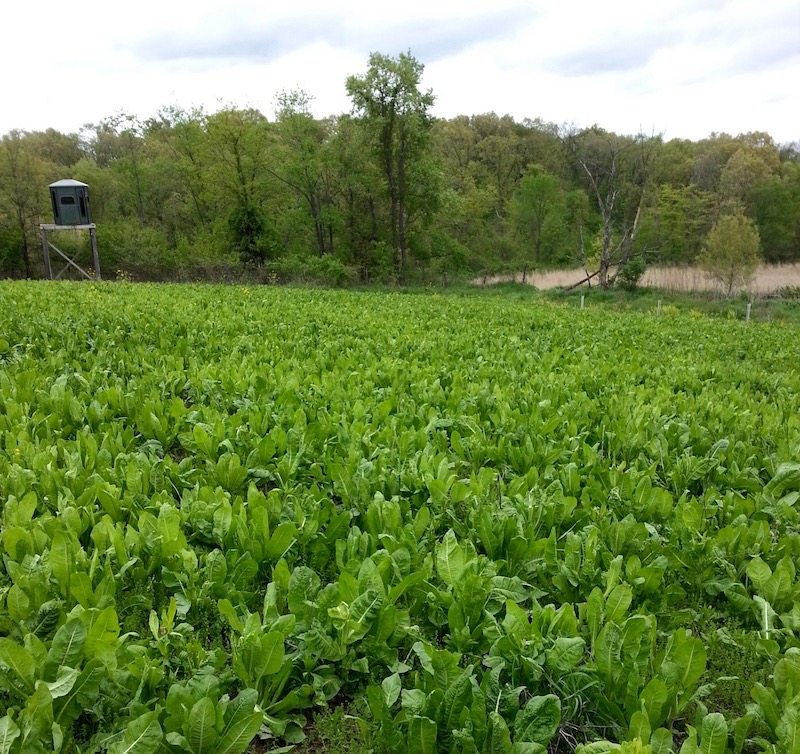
[{"x": 683, "y": 68}]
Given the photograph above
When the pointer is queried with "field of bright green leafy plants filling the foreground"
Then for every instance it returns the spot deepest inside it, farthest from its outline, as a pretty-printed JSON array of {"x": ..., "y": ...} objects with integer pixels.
[{"x": 478, "y": 524}]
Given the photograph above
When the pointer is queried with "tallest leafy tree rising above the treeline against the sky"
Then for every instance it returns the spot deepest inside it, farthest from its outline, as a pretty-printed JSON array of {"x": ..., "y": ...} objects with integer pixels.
[{"x": 389, "y": 99}]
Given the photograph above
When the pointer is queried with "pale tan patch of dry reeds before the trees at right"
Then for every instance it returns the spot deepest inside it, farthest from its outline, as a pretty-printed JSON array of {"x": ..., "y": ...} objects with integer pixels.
[{"x": 768, "y": 279}]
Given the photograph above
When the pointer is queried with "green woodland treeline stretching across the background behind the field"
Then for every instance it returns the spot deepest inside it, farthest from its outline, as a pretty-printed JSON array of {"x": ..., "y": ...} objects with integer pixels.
[{"x": 387, "y": 193}]
